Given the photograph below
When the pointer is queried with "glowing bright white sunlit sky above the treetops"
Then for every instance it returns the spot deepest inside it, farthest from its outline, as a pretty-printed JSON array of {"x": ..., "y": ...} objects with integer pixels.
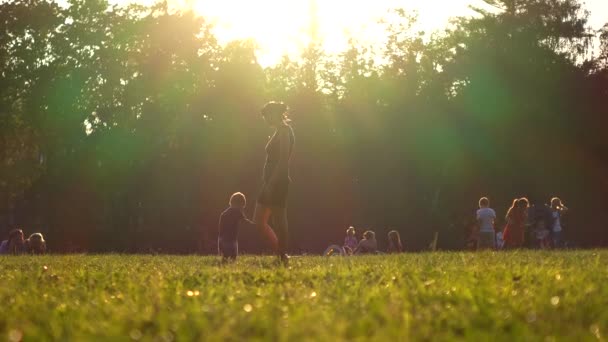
[{"x": 285, "y": 27}]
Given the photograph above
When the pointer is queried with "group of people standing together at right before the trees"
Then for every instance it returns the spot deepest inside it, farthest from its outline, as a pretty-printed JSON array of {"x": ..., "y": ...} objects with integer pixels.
[{"x": 537, "y": 226}]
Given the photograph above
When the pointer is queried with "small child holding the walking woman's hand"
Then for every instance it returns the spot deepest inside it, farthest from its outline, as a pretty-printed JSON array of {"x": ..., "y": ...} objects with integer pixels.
[{"x": 227, "y": 241}]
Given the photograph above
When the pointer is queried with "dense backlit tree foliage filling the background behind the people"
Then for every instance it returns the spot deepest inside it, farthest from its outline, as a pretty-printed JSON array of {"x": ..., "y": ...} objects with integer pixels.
[{"x": 127, "y": 128}]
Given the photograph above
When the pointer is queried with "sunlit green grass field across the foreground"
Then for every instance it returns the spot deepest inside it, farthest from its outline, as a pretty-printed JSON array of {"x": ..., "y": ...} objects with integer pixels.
[{"x": 516, "y": 296}]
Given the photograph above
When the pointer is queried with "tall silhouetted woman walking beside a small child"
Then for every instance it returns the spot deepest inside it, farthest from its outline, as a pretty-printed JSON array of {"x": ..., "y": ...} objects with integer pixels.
[{"x": 272, "y": 200}]
